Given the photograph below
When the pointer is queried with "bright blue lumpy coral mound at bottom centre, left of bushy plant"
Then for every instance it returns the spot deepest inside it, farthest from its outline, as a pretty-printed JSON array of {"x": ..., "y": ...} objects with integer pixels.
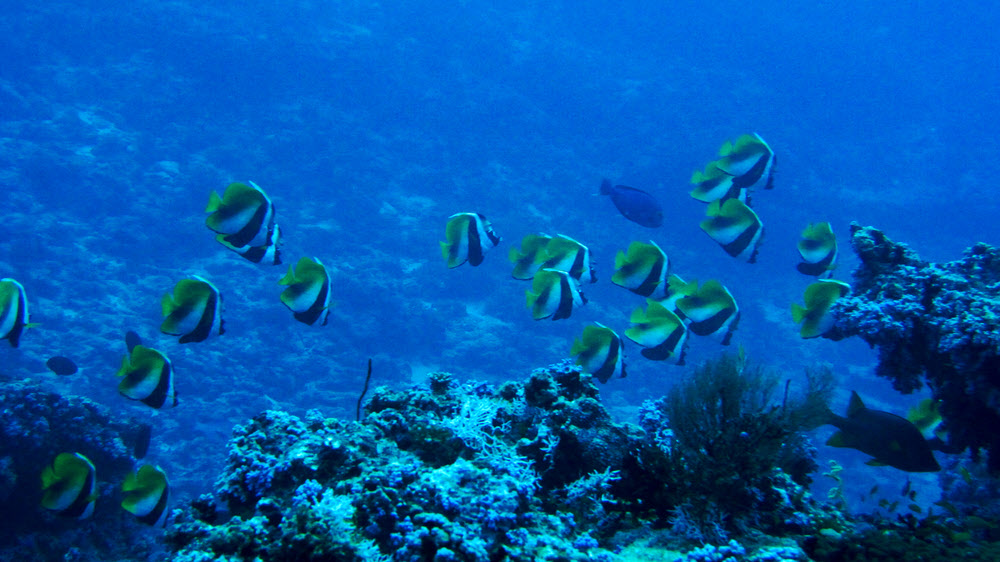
[{"x": 447, "y": 472}]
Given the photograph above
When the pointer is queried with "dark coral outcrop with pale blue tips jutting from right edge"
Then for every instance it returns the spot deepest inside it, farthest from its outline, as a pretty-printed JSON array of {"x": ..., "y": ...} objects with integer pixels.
[{"x": 935, "y": 324}]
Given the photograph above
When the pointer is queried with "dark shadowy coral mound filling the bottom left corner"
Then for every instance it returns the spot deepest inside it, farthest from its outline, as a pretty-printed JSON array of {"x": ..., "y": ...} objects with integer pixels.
[{"x": 35, "y": 426}]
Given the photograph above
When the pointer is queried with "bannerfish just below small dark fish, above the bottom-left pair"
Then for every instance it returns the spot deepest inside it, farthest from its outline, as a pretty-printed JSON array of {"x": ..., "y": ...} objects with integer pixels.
[{"x": 147, "y": 376}]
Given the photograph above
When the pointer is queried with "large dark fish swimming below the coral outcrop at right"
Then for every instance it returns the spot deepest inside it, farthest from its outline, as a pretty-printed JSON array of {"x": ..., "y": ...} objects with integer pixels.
[{"x": 892, "y": 440}]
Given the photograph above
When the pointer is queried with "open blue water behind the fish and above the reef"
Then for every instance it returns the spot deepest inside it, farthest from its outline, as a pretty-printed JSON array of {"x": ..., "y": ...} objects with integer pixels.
[{"x": 369, "y": 124}]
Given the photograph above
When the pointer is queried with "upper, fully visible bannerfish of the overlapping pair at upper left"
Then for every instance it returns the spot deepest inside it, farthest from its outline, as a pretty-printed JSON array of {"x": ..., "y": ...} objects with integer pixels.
[{"x": 243, "y": 216}]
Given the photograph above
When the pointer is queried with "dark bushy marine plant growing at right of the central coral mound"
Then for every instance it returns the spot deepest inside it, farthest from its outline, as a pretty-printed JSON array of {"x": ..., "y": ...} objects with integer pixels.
[{"x": 724, "y": 452}]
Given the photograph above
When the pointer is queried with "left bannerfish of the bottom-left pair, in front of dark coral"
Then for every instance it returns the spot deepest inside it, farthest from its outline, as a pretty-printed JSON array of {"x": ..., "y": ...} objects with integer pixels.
[{"x": 69, "y": 486}]
